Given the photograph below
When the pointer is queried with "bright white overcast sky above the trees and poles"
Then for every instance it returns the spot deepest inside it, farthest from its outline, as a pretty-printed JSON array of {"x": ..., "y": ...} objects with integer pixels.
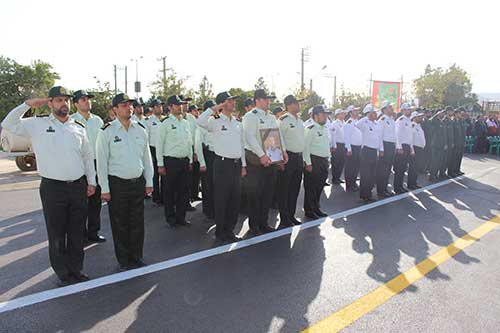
[{"x": 235, "y": 42}]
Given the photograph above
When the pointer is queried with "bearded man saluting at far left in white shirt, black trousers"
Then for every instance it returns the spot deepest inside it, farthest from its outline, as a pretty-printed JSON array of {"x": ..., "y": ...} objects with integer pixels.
[{"x": 66, "y": 164}]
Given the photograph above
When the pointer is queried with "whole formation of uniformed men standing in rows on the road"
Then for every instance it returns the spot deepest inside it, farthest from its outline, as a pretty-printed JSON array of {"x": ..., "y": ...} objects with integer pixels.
[{"x": 165, "y": 155}]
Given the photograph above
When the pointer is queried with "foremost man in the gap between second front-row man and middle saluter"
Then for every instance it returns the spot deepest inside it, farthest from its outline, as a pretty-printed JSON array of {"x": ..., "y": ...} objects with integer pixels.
[{"x": 174, "y": 152}]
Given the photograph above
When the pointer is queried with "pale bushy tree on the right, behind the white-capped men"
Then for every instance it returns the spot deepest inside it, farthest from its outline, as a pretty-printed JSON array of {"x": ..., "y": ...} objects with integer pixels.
[{"x": 438, "y": 87}]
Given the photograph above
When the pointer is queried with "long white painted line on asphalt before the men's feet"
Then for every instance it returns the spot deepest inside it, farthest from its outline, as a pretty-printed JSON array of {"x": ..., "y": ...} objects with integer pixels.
[{"x": 118, "y": 277}]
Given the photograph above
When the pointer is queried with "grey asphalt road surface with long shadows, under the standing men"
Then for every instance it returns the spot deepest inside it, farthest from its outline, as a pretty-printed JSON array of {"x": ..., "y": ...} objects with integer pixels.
[{"x": 285, "y": 284}]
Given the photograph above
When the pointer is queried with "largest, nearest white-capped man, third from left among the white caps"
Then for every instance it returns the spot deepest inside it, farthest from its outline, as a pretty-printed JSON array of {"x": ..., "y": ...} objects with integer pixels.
[{"x": 368, "y": 155}]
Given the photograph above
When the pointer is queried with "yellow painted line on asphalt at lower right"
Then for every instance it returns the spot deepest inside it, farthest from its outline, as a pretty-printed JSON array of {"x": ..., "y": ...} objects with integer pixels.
[{"x": 382, "y": 294}]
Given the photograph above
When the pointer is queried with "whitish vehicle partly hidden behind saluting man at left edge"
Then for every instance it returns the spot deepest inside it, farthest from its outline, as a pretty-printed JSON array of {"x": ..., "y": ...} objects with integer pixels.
[{"x": 20, "y": 148}]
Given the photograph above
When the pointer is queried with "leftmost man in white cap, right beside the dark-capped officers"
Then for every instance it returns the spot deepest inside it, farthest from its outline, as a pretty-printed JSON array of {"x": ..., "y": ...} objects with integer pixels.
[{"x": 337, "y": 146}]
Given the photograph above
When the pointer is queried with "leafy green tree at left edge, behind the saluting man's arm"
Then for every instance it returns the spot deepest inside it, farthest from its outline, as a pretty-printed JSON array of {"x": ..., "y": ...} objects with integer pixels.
[{"x": 20, "y": 82}]
